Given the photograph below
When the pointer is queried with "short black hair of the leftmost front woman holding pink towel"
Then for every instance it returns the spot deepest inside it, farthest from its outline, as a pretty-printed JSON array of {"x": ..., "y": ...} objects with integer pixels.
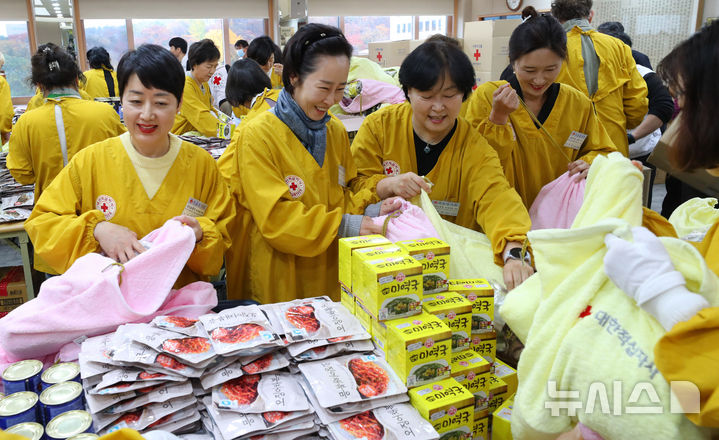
[{"x": 155, "y": 67}]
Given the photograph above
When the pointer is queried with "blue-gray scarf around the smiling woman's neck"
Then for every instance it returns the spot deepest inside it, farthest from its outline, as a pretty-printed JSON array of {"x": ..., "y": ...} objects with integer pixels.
[{"x": 312, "y": 134}]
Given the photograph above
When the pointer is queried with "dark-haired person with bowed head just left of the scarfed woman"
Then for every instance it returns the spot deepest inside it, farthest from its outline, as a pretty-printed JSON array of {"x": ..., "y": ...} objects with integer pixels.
[{"x": 245, "y": 82}]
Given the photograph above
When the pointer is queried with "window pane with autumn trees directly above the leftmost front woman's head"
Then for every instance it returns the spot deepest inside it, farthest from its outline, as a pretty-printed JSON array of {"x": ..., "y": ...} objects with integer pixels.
[{"x": 158, "y": 31}]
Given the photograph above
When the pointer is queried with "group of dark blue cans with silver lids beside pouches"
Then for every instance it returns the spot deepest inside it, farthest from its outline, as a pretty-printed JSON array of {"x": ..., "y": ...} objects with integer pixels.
[{"x": 44, "y": 404}]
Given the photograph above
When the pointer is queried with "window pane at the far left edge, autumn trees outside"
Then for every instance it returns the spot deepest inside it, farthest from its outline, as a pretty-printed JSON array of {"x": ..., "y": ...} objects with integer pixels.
[{"x": 15, "y": 46}]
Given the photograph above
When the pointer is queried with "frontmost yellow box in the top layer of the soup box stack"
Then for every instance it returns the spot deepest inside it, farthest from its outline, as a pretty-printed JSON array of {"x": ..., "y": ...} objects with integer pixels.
[{"x": 391, "y": 287}]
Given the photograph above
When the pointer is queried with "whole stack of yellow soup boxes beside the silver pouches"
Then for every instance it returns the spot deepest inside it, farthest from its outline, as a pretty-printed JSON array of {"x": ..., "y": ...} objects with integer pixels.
[{"x": 436, "y": 333}]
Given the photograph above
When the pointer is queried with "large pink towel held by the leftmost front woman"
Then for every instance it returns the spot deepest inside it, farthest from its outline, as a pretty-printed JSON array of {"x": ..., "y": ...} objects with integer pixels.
[{"x": 95, "y": 296}]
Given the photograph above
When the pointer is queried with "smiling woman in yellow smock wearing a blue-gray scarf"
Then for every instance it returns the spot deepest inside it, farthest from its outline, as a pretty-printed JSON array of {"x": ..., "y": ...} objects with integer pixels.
[{"x": 291, "y": 171}]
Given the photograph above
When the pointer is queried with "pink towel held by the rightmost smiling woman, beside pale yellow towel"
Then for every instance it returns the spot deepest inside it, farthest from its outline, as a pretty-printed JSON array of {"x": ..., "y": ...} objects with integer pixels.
[{"x": 558, "y": 203}]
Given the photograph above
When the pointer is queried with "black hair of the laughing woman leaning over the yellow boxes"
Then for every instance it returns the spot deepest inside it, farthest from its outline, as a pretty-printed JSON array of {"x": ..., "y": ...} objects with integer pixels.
[{"x": 425, "y": 66}]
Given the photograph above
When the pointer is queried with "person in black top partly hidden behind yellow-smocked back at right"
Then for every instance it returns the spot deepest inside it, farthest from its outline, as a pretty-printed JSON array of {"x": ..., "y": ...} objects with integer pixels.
[{"x": 645, "y": 136}]
